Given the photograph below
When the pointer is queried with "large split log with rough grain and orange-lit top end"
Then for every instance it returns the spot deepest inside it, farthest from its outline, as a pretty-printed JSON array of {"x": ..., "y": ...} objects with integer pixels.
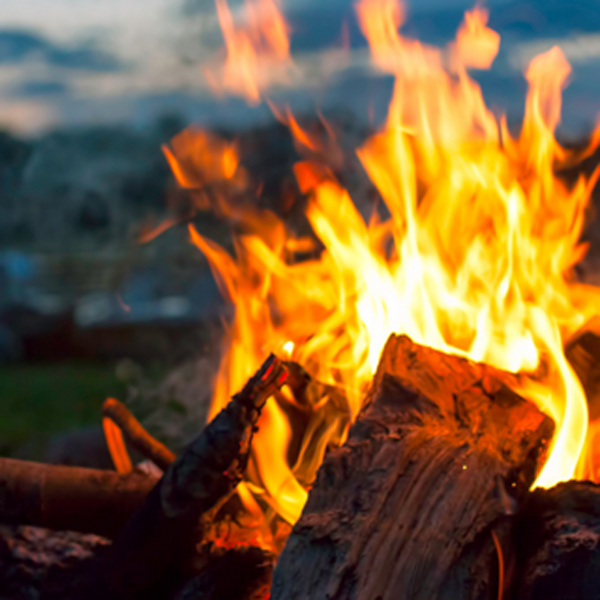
[{"x": 438, "y": 461}]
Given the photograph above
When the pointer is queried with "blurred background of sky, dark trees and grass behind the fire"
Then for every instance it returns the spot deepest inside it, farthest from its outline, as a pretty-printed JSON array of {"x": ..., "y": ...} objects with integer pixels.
[{"x": 89, "y": 91}]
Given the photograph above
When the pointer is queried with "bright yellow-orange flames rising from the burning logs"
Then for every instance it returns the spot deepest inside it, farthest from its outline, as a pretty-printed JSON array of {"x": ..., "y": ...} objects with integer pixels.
[{"x": 475, "y": 257}]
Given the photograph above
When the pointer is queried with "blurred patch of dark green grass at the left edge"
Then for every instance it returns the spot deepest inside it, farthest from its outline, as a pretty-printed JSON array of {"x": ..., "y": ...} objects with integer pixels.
[{"x": 37, "y": 401}]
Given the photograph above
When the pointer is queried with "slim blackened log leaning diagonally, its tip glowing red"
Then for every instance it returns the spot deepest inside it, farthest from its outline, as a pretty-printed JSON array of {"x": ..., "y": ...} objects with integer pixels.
[{"x": 150, "y": 558}]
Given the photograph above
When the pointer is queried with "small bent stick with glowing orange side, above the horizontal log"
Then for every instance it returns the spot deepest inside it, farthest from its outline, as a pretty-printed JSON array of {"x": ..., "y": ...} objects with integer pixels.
[{"x": 117, "y": 414}]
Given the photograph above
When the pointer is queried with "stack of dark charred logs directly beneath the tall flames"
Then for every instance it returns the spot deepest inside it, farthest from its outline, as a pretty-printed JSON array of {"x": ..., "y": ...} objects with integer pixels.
[{"x": 428, "y": 498}]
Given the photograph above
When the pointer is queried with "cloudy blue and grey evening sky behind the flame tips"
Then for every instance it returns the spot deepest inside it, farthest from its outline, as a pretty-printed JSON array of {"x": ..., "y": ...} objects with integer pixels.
[{"x": 73, "y": 62}]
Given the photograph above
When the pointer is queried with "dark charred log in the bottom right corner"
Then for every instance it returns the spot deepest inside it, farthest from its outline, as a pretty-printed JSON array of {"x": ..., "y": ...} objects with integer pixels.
[{"x": 557, "y": 544}]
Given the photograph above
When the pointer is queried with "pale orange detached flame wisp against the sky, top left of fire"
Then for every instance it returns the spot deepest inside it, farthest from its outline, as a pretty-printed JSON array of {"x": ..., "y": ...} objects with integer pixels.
[{"x": 253, "y": 50}]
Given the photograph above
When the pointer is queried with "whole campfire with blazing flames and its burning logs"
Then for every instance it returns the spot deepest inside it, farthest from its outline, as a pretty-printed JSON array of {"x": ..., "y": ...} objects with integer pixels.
[{"x": 402, "y": 406}]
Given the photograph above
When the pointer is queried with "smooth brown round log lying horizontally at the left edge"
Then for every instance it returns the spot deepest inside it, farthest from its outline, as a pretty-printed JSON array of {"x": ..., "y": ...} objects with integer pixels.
[{"x": 70, "y": 498}]
